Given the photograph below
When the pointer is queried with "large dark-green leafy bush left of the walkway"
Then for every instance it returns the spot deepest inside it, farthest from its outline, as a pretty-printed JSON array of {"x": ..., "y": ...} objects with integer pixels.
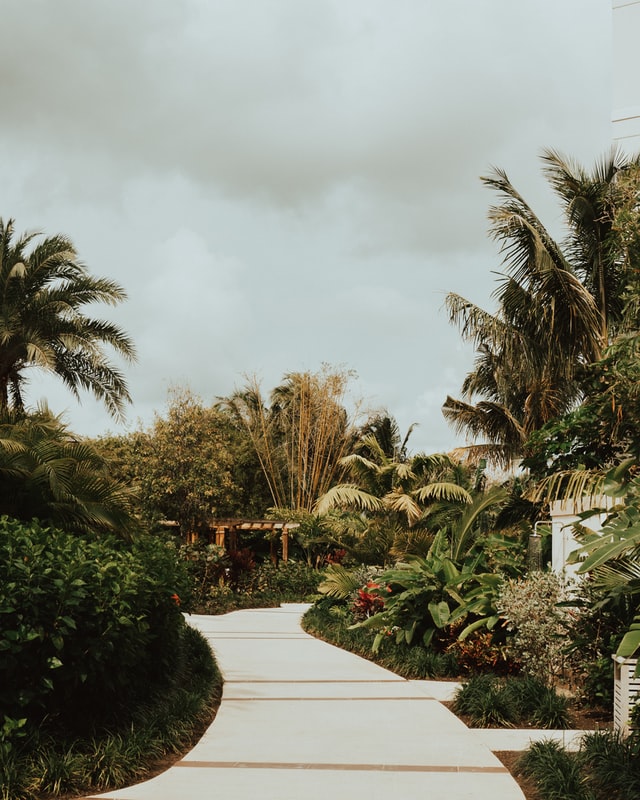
[{"x": 85, "y": 623}]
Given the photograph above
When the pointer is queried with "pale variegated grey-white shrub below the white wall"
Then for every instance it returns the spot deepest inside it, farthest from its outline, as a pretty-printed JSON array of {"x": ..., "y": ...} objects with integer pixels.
[{"x": 536, "y": 625}]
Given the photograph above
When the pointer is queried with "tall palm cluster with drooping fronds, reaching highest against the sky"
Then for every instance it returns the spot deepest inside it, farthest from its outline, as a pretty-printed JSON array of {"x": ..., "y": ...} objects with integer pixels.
[{"x": 558, "y": 307}]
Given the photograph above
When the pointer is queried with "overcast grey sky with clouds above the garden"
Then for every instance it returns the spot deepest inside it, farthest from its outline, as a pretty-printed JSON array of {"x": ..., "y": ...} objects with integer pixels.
[{"x": 279, "y": 184}]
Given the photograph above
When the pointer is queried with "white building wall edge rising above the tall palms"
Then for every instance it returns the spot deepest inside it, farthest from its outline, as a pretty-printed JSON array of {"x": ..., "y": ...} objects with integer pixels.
[{"x": 626, "y": 75}]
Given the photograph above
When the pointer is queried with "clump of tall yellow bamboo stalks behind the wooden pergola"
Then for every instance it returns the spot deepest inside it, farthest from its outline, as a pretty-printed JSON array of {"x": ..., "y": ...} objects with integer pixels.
[{"x": 299, "y": 435}]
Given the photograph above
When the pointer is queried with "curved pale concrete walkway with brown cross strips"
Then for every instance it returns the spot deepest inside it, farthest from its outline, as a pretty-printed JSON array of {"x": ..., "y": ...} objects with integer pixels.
[{"x": 303, "y": 720}]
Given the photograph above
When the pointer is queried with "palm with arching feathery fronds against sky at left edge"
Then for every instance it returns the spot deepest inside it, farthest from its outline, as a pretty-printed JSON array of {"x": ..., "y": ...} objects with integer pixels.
[{"x": 43, "y": 290}]
